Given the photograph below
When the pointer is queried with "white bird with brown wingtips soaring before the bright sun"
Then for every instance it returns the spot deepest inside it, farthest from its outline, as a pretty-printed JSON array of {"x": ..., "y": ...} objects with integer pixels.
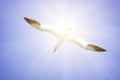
[{"x": 65, "y": 36}]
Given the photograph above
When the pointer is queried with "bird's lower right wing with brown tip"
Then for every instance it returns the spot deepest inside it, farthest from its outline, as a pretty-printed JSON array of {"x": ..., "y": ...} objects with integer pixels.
[{"x": 85, "y": 45}]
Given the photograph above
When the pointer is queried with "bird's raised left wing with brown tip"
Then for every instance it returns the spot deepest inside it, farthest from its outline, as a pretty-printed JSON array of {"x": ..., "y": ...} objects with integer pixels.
[{"x": 41, "y": 27}]
